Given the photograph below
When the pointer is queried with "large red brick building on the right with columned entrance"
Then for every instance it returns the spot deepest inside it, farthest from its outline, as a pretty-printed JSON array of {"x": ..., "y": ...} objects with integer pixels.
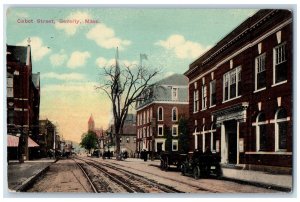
[{"x": 240, "y": 94}]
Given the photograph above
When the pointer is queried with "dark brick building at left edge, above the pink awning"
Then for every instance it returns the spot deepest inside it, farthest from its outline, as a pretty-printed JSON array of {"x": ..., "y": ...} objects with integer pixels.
[{"x": 23, "y": 96}]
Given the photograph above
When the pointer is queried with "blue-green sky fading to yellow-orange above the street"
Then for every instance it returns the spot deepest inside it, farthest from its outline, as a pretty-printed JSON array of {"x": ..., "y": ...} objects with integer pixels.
[{"x": 70, "y": 56}]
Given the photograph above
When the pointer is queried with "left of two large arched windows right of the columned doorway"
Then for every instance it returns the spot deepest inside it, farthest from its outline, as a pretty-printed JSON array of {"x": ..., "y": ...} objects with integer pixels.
[{"x": 261, "y": 132}]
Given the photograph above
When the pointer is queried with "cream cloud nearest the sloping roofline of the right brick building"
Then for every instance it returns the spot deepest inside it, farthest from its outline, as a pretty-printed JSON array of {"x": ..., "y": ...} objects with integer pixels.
[{"x": 183, "y": 49}]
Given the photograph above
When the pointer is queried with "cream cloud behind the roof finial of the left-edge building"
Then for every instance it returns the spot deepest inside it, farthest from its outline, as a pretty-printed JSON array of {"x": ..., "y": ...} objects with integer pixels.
[{"x": 38, "y": 50}]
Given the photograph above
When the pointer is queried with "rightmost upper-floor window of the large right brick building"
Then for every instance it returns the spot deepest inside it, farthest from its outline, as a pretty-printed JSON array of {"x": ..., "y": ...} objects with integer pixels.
[{"x": 280, "y": 66}]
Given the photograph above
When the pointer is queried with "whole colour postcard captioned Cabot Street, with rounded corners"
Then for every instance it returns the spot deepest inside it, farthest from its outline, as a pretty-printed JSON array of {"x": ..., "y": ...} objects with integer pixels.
[{"x": 149, "y": 100}]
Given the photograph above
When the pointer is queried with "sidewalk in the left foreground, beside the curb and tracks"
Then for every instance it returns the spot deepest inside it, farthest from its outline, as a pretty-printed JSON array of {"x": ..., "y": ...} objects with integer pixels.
[{"x": 21, "y": 175}]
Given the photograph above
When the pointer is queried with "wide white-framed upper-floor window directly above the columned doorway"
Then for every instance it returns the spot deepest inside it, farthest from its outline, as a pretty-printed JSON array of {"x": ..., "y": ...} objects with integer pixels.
[{"x": 232, "y": 84}]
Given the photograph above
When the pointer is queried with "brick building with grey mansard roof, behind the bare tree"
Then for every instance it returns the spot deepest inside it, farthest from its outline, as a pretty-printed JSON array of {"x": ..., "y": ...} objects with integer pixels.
[{"x": 159, "y": 110}]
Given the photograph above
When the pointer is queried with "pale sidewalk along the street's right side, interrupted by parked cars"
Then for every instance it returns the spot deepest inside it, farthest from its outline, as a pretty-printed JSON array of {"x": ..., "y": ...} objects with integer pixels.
[{"x": 257, "y": 178}]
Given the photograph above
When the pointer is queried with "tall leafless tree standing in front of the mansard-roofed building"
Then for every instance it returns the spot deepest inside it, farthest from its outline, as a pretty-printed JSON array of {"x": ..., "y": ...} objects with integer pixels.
[{"x": 124, "y": 87}]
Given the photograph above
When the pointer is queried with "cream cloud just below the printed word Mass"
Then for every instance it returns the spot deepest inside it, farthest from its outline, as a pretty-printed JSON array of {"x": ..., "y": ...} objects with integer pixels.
[{"x": 105, "y": 37}]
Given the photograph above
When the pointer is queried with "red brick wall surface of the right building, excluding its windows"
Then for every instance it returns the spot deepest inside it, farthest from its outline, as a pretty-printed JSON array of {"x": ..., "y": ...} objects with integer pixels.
[{"x": 267, "y": 97}]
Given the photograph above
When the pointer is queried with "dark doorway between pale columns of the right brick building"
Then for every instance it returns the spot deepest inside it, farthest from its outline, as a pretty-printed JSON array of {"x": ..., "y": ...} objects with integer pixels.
[{"x": 231, "y": 133}]
